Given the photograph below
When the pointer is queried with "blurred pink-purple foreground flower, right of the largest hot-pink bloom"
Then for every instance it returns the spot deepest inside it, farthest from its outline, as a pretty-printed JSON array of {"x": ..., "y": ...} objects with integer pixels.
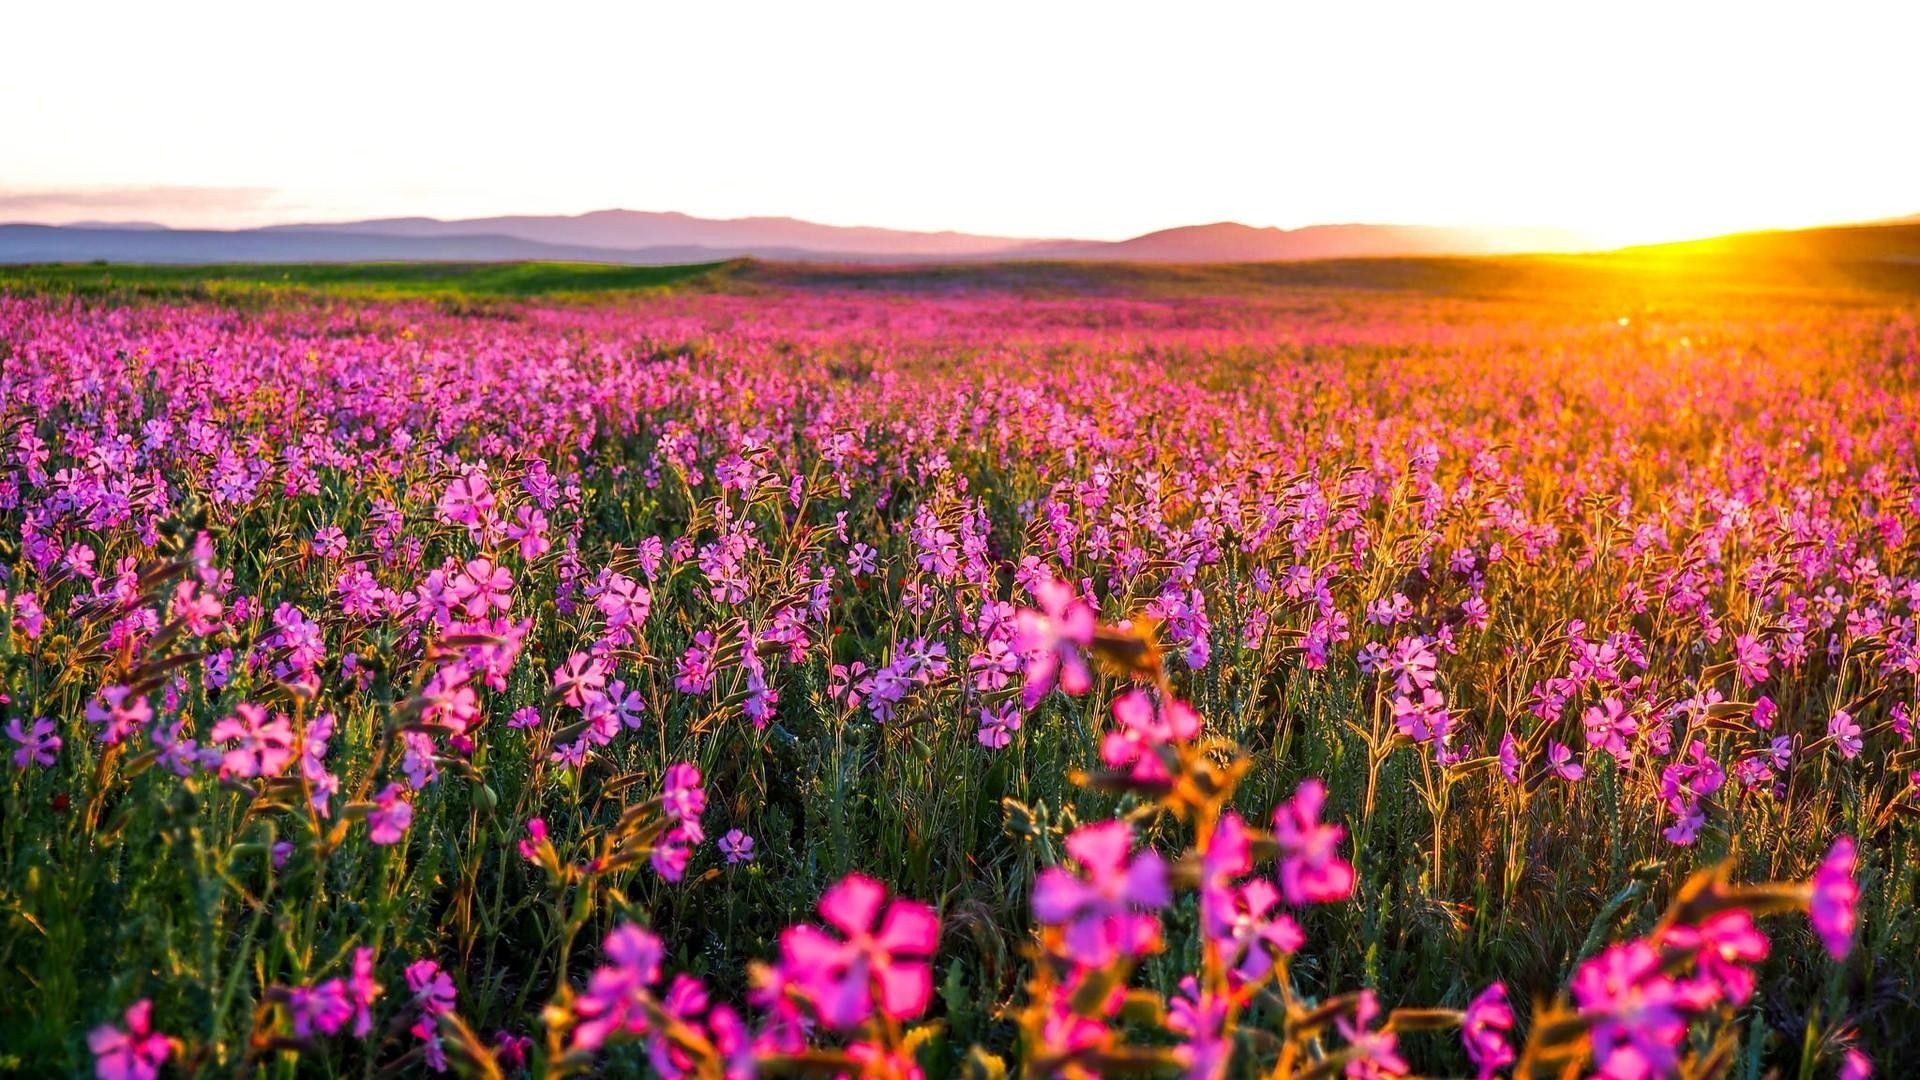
[{"x": 1103, "y": 912}]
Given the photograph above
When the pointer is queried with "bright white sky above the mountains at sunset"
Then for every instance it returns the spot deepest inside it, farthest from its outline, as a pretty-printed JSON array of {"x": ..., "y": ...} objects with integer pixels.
[{"x": 1627, "y": 120}]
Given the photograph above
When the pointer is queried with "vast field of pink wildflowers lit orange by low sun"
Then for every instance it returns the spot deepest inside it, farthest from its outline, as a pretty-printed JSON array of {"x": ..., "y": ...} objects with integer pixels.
[{"x": 848, "y": 683}]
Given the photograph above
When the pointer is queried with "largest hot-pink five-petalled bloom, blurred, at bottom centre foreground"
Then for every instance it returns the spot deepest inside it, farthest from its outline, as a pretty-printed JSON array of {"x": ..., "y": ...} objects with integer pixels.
[{"x": 882, "y": 960}]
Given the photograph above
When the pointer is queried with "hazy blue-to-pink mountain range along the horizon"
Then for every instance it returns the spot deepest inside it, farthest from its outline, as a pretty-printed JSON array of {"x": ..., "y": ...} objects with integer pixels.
[{"x": 646, "y": 239}]
